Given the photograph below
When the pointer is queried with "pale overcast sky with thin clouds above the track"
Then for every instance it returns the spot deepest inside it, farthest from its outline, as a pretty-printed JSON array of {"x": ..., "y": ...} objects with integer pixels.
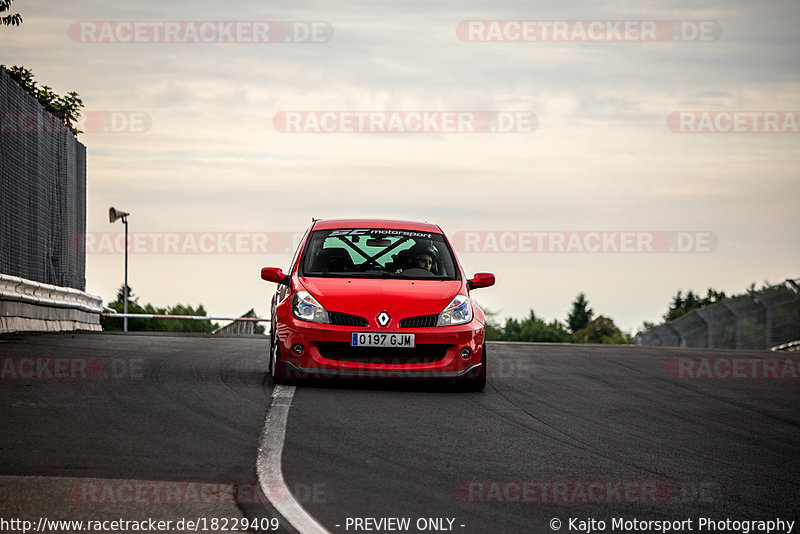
[{"x": 204, "y": 153}]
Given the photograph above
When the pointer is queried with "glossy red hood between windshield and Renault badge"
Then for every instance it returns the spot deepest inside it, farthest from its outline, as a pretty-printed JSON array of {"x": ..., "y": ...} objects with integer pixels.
[{"x": 368, "y": 297}]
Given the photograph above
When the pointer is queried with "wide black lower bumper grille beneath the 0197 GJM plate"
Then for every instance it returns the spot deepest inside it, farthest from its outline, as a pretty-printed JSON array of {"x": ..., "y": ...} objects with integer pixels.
[{"x": 382, "y": 355}]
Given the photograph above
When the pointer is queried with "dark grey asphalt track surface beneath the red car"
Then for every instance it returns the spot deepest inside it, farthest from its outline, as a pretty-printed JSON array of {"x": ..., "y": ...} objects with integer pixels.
[{"x": 190, "y": 409}]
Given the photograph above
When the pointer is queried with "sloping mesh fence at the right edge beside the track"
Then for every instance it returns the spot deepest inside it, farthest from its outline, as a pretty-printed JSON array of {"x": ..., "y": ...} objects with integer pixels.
[{"x": 759, "y": 320}]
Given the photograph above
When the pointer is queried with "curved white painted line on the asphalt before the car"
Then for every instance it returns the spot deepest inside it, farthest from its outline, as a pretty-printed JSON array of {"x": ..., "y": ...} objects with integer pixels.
[{"x": 268, "y": 465}]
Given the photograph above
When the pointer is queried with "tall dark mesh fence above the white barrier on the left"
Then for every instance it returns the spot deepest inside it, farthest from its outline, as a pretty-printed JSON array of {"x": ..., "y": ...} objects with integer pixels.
[{"x": 42, "y": 192}]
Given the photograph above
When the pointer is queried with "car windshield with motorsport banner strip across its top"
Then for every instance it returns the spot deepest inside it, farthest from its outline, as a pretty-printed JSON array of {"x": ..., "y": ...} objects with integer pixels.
[{"x": 378, "y": 253}]
